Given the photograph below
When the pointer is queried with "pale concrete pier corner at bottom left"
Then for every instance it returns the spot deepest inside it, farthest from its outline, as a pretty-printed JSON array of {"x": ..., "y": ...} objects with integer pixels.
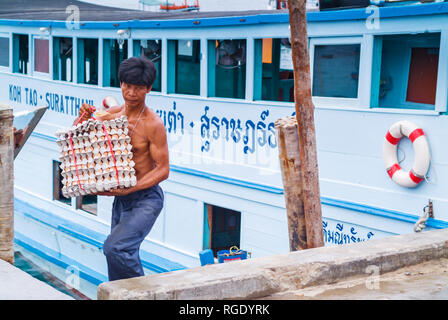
[{"x": 16, "y": 284}]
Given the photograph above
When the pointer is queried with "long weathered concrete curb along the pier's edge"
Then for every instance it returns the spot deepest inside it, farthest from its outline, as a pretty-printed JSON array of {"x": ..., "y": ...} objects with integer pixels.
[{"x": 266, "y": 276}]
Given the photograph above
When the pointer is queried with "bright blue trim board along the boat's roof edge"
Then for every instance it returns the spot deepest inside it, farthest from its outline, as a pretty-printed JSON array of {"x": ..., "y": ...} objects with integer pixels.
[{"x": 333, "y": 15}]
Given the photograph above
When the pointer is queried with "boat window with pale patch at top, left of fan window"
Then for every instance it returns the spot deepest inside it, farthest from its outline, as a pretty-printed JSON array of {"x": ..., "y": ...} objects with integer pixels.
[{"x": 184, "y": 66}]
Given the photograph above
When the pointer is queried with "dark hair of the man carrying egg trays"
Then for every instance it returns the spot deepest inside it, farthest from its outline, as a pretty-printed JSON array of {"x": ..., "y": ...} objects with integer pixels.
[{"x": 140, "y": 71}]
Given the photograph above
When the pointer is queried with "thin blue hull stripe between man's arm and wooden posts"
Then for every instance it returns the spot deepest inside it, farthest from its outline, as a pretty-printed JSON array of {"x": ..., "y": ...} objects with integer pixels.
[{"x": 219, "y": 178}]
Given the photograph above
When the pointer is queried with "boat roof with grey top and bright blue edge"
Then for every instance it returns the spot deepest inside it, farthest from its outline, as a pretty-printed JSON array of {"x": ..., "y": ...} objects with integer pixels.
[{"x": 37, "y": 13}]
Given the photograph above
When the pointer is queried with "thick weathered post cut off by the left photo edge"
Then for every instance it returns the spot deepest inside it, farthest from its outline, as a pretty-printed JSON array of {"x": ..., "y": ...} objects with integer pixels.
[{"x": 6, "y": 184}]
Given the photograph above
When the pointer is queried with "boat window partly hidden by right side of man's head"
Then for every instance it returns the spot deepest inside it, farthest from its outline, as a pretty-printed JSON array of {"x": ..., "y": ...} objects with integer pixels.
[{"x": 151, "y": 49}]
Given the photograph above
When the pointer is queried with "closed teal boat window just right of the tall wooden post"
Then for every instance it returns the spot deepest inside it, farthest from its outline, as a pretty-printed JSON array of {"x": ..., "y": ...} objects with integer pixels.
[{"x": 336, "y": 70}]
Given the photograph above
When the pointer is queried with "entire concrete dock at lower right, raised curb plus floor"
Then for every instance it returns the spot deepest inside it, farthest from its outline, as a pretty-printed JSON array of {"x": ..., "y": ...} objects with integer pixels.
[{"x": 286, "y": 276}]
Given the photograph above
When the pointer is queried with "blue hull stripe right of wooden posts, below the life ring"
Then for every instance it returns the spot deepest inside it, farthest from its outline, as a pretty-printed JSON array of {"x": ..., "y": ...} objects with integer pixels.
[{"x": 385, "y": 213}]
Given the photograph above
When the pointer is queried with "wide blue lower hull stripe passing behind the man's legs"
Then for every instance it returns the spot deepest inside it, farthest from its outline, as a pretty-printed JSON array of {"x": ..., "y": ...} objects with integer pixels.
[{"x": 150, "y": 261}]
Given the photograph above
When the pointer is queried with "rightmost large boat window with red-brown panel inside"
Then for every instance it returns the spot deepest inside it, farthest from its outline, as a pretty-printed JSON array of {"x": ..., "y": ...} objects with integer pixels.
[{"x": 406, "y": 71}]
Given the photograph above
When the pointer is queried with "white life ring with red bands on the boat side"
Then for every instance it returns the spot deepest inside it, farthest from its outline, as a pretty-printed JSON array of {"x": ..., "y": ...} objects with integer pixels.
[{"x": 422, "y": 156}]
